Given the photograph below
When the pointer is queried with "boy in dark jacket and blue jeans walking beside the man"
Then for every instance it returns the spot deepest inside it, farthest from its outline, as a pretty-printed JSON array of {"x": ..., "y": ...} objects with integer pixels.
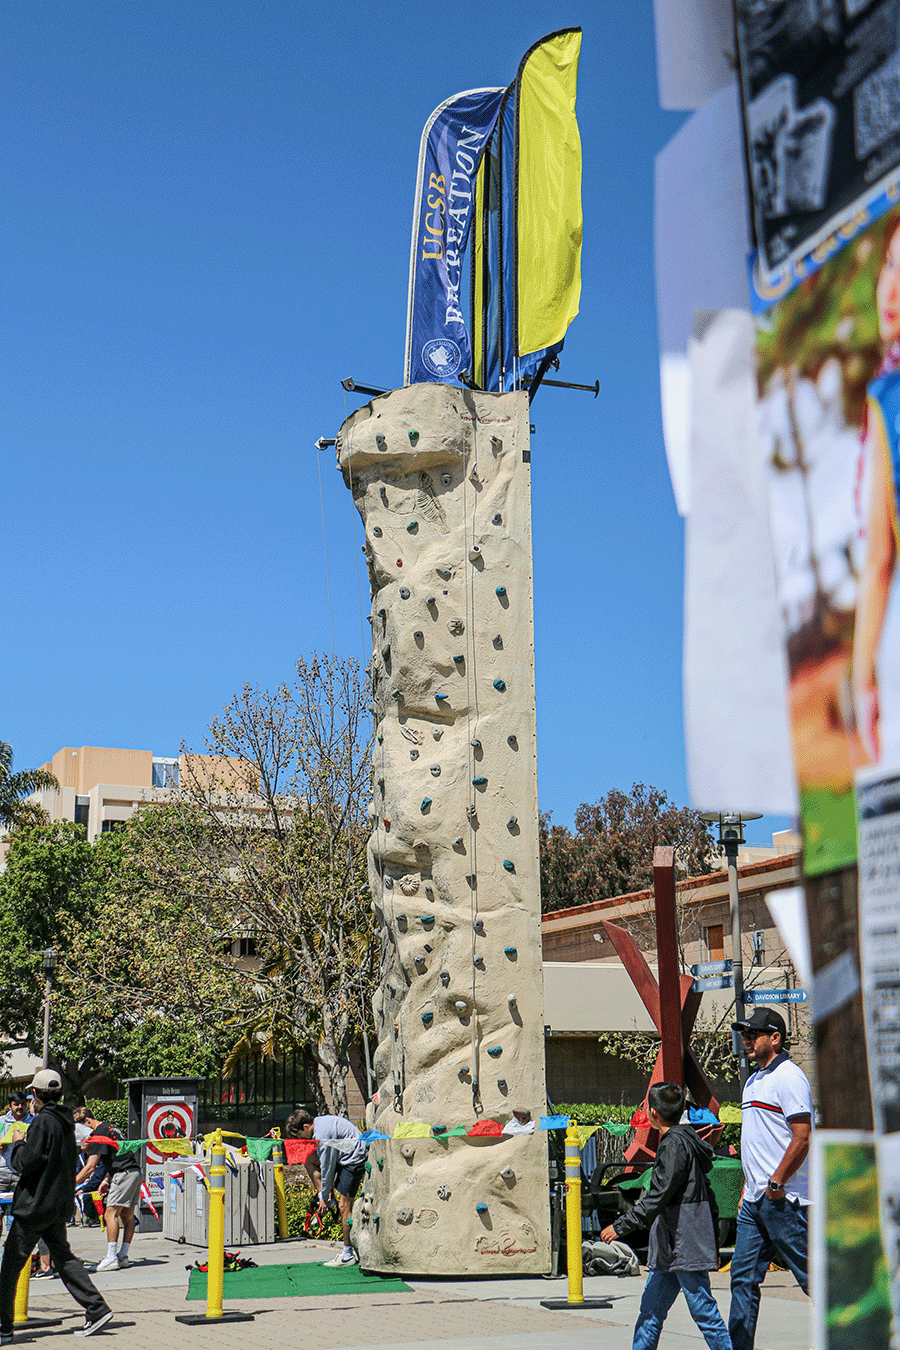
[{"x": 679, "y": 1206}]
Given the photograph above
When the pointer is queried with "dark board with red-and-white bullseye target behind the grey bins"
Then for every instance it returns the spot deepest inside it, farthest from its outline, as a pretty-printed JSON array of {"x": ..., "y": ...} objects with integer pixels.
[{"x": 160, "y": 1109}]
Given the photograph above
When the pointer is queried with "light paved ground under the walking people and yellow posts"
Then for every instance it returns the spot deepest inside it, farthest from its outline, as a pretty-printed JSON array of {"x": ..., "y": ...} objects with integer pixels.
[{"x": 451, "y": 1314}]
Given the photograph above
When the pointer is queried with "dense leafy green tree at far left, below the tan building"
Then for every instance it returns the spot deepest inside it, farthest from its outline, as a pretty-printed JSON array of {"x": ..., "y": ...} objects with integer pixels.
[{"x": 126, "y": 958}]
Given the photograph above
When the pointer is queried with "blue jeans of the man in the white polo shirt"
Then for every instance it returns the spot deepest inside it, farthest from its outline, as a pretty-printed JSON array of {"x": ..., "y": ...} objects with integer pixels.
[{"x": 768, "y": 1231}]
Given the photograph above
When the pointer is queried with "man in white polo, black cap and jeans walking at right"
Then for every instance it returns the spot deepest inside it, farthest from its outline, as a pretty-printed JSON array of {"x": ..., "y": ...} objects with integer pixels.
[{"x": 777, "y": 1124}]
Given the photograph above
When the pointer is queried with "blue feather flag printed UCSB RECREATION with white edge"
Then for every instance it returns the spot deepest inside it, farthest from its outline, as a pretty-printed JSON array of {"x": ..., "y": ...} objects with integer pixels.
[{"x": 438, "y": 346}]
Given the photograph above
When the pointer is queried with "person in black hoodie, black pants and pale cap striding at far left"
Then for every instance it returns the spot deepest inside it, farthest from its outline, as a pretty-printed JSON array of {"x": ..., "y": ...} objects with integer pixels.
[{"x": 47, "y": 1163}]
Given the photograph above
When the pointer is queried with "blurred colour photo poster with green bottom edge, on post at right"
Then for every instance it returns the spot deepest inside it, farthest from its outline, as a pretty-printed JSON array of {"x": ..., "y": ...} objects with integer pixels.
[{"x": 829, "y": 375}]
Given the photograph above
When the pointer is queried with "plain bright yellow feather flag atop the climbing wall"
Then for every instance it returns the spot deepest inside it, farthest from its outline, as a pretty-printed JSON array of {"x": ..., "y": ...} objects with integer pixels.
[{"x": 550, "y": 192}]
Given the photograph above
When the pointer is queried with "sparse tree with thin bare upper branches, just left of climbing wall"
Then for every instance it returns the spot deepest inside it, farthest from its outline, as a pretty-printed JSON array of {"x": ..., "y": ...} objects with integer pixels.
[{"x": 273, "y": 842}]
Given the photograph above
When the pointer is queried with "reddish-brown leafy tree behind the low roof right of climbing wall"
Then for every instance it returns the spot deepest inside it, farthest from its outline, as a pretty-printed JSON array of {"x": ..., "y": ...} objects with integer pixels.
[{"x": 612, "y": 851}]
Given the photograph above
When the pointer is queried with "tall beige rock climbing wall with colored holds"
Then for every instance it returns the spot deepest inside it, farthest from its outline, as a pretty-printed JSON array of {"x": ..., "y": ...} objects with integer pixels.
[{"x": 442, "y": 479}]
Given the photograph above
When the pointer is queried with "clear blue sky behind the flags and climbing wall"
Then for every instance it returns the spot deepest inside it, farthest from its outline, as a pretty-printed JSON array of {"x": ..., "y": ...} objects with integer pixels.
[{"x": 206, "y": 225}]
